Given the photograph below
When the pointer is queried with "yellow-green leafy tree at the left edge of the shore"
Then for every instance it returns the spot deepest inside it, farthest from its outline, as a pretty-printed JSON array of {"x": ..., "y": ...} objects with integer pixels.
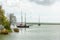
[{"x": 3, "y": 19}]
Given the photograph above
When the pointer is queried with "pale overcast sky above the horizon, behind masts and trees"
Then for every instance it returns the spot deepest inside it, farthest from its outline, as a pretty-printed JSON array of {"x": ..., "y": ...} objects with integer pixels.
[{"x": 48, "y": 10}]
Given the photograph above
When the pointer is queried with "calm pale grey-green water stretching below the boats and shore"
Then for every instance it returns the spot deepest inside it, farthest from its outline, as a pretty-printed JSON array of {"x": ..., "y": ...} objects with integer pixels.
[{"x": 43, "y": 32}]
